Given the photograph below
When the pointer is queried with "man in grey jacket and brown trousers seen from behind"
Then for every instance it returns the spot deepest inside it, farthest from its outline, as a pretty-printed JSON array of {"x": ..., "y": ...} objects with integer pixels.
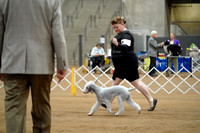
[{"x": 31, "y": 32}]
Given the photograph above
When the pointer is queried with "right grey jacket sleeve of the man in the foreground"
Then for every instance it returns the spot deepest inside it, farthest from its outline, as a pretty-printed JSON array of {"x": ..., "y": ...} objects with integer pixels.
[{"x": 59, "y": 38}]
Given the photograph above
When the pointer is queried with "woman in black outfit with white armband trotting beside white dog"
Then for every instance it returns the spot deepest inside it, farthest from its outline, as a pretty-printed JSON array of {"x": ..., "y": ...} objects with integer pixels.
[{"x": 125, "y": 60}]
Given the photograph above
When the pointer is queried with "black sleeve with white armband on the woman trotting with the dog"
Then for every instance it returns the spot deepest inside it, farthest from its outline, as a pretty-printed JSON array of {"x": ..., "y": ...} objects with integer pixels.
[{"x": 125, "y": 43}]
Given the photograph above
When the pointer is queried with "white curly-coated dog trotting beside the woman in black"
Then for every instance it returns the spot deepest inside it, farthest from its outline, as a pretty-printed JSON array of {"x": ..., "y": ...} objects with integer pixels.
[{"x": 106, "y": 95}]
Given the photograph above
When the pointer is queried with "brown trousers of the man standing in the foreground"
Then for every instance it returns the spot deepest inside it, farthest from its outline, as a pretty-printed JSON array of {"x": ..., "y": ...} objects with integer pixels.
[{"x": 17, "y": 88}]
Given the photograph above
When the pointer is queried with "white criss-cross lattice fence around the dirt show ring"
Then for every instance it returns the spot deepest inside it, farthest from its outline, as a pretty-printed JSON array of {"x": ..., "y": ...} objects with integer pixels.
[{"x": 181, "y": 81}]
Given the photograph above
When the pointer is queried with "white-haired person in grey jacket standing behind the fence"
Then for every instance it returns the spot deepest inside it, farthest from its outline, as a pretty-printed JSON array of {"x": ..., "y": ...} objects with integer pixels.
[{"x": 153, "y": 51}]
